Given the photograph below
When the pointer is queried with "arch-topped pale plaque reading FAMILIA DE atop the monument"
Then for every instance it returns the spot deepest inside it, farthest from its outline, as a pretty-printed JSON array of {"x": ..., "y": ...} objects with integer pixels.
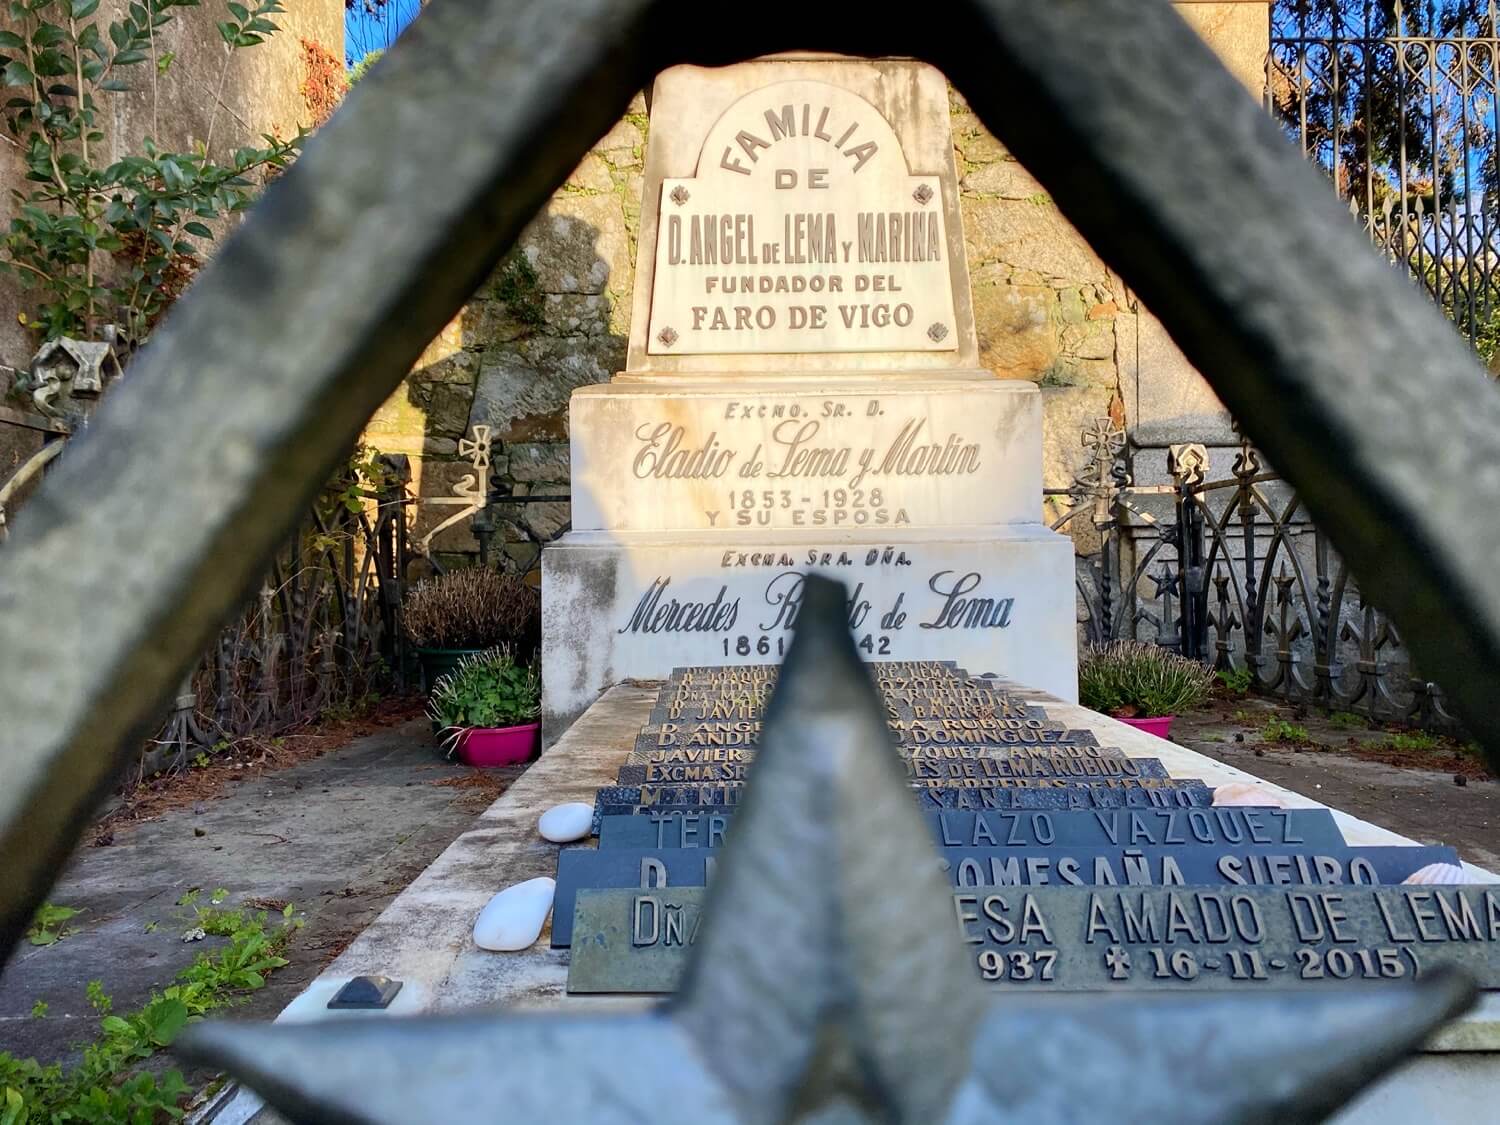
[{"x": 803, "y": 232}]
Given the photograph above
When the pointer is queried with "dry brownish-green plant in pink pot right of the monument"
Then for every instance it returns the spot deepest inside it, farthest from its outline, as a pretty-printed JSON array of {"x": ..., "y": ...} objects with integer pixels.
[{"x": 1142, "y": 685}]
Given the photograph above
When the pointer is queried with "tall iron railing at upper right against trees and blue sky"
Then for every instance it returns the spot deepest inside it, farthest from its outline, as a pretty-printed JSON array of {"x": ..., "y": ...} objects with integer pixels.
[{"x": 1399, "y": 103}]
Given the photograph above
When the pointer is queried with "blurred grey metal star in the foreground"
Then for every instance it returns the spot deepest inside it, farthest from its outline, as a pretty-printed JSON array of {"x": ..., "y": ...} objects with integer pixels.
[{"x": 842, "y": 1000}]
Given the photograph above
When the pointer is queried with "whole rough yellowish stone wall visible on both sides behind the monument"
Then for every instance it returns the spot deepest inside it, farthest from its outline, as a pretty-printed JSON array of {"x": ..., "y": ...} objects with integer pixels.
[{"x": 556, "y": 317}]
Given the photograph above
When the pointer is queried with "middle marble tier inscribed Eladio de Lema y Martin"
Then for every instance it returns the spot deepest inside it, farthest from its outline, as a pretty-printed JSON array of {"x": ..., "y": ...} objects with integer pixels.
[{"x": 865, "y": 457}]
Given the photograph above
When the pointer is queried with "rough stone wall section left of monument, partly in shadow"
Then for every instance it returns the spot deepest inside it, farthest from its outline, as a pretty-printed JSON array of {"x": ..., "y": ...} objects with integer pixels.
[{"x": 554, "y": 317}]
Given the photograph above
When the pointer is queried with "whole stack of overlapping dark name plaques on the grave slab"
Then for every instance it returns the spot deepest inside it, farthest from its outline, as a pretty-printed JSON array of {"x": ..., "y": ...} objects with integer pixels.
[{"x": 1075, "y": 866}]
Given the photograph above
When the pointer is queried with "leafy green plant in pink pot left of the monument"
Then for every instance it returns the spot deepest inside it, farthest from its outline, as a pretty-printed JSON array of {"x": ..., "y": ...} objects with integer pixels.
[{"x": 487, "y": 709}]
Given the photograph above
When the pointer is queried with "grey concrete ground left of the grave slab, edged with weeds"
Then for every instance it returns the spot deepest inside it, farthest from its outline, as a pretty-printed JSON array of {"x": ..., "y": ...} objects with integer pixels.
[{"x": 338, "y": 836}]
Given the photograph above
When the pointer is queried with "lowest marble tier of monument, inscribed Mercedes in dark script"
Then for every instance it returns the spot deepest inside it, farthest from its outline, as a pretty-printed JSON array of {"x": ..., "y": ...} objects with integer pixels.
[{"x": 1000, "y": 593}]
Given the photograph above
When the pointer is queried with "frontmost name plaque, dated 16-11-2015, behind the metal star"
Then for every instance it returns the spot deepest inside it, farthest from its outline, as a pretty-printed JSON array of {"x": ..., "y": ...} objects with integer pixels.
[{"x": 1051, "y": 940}]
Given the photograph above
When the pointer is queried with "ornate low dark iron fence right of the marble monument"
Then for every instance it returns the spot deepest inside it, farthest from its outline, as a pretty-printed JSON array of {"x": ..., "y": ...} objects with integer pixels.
[{"x": 1232, "y": 572}]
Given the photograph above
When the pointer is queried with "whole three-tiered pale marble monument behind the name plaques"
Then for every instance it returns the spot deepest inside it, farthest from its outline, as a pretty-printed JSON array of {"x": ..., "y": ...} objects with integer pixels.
[{"x": 803, "y": 394}]
